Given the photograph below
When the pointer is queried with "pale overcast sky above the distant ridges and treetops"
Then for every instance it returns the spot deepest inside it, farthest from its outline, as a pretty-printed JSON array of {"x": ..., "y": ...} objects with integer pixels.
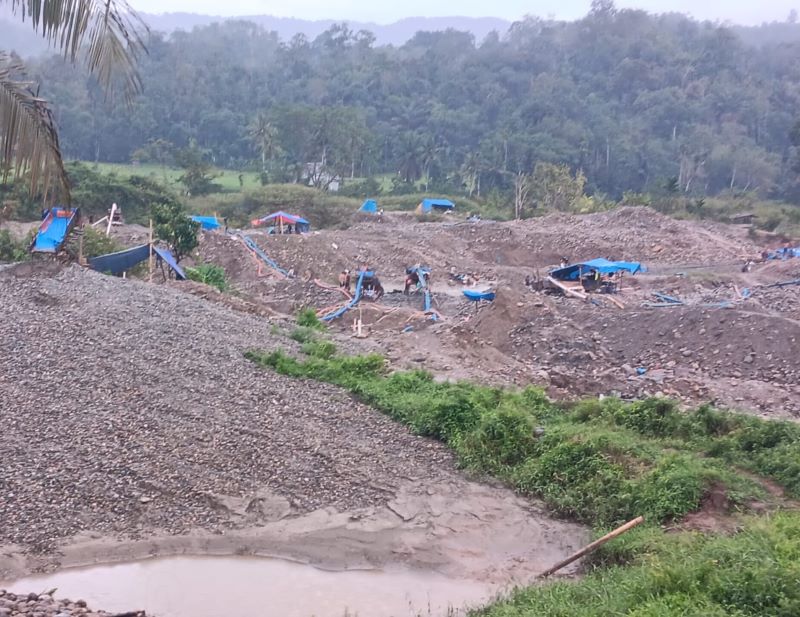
[{"x": 739, "y": 11}]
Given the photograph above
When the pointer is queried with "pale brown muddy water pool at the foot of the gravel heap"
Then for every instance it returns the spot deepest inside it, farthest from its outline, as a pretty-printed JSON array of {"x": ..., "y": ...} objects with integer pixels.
[{"x": 214, "y": 586}]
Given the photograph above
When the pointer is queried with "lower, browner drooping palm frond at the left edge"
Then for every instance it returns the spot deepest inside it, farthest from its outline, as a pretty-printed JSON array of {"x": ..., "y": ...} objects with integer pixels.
[{"x": 28, "y": 137}]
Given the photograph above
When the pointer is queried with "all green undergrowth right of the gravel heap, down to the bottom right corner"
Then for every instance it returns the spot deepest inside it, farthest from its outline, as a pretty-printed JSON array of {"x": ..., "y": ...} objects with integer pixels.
[{"x": 603, "y": 462}]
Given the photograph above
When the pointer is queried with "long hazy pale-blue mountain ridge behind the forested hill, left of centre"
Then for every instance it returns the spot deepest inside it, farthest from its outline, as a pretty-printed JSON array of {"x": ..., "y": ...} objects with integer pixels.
[{"x": 395, "y": 33}]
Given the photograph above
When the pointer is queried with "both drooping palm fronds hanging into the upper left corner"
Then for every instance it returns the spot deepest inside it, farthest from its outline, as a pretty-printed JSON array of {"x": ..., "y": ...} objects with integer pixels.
[{"x": 106, "y": 35}]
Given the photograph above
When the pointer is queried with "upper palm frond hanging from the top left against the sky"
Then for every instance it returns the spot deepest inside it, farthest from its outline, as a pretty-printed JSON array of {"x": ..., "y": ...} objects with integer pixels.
[{"x": 106, "y": 33}]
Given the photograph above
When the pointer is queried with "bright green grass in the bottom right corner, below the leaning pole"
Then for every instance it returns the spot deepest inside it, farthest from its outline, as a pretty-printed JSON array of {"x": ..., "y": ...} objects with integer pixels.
[{"x": 753, "y": 573}]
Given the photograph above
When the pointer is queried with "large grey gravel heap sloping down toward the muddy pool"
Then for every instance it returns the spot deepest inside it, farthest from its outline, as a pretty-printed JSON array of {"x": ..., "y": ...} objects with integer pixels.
[{"x": 127, "y": 407}]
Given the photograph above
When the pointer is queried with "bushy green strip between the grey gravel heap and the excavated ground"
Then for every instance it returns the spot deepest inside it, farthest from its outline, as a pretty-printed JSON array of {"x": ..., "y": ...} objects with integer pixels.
[{"x": 599, "y": 462}]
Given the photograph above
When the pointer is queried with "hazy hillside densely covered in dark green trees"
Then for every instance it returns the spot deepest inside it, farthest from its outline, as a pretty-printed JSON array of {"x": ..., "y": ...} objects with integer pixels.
[{"x": 633, "y": 100}]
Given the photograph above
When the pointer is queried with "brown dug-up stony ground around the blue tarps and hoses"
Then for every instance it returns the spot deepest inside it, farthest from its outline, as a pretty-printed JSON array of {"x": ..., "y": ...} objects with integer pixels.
[{"x": 738, "y": 356}]
